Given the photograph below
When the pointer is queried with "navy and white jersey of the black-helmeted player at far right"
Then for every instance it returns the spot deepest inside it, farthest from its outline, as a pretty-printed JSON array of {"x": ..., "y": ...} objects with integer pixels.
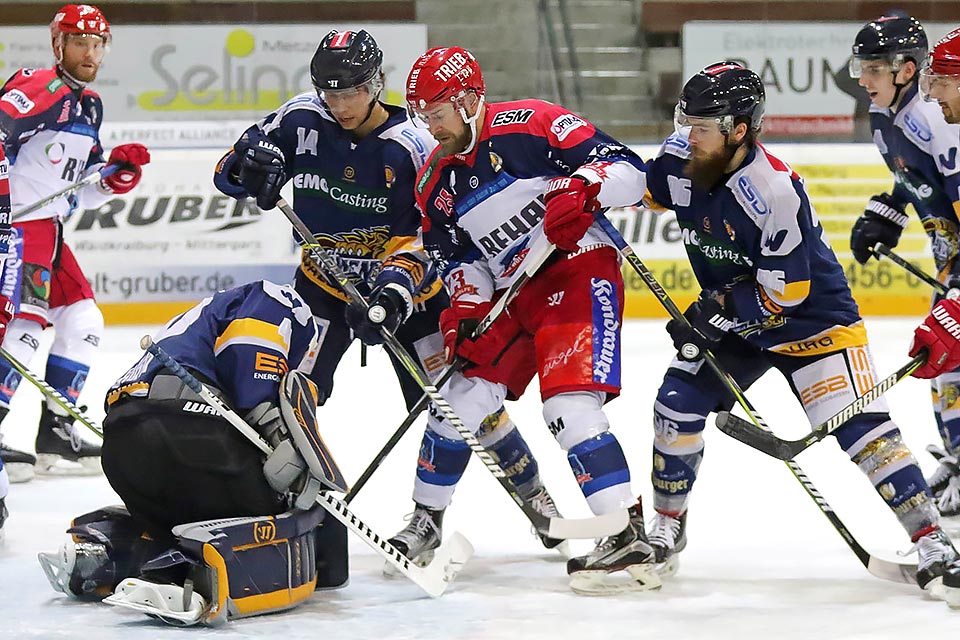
[{"x": 921, "y": 150}]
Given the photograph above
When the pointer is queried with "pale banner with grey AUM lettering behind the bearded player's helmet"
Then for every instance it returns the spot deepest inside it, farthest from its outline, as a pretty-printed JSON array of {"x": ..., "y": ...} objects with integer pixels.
[{"x": 803, "y": 66}]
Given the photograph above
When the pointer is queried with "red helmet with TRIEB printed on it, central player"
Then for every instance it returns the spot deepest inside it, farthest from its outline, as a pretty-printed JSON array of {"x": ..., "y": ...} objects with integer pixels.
[{"x": 443, "y": 74}]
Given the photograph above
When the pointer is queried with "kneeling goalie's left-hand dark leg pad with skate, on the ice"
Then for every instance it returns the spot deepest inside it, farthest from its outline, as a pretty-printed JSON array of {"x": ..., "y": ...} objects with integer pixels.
[{"x": 105, "y": 546}]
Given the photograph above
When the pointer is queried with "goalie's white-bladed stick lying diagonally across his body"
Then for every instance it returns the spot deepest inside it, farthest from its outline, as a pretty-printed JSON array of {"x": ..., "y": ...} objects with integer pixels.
[{"x": 433, "y": 579}]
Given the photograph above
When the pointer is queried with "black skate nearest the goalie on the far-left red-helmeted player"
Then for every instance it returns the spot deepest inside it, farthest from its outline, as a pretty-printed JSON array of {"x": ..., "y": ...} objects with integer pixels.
[{"x": 60, "y": 449}]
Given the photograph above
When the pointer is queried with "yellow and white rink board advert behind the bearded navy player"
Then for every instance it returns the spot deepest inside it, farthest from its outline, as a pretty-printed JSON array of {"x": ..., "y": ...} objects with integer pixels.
[{"x": 840, "y": 179}]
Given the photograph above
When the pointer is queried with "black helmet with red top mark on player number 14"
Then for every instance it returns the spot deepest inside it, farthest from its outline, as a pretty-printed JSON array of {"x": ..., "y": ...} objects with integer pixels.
[{"x": 346, "y": 59}]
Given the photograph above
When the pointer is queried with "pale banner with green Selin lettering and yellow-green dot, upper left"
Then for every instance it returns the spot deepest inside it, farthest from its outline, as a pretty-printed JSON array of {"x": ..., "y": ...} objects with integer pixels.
[{"x": 211, "y": 72}]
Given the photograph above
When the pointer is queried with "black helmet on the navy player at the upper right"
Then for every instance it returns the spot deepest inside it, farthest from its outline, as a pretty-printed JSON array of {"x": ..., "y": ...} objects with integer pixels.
[{"x": 896, "y": 38}]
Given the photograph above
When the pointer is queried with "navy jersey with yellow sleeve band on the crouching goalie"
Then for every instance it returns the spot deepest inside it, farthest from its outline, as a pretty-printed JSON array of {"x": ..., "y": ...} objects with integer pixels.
[{"x": 241, "y": 341}]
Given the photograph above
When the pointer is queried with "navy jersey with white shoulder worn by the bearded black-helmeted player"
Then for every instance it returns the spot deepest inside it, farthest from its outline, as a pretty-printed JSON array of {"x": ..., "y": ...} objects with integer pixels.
[{"x": 756, "y": 238}]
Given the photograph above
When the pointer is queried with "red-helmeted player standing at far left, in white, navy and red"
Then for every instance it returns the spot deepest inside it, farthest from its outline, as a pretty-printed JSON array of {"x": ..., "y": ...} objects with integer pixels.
[{"x": 49, "y": 127}]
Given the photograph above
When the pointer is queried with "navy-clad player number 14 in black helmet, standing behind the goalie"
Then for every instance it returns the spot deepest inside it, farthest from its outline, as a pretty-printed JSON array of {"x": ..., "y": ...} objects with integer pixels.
[{"x": 353, "y": 160}]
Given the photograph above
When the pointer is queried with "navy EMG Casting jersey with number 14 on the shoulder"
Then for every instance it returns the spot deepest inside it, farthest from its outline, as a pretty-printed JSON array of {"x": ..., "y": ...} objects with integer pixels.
[{"x": 355, "y": 196}]
